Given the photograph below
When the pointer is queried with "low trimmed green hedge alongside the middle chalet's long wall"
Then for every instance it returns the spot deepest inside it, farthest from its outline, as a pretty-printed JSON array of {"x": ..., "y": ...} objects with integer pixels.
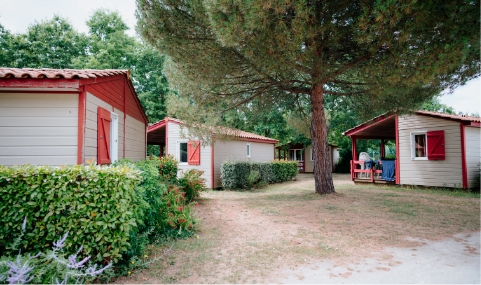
[{"x": 235, "y": 174}]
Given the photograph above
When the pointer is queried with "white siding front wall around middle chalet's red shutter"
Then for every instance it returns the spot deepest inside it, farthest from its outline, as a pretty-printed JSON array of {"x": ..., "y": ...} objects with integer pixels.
[{"x": 174, "y": 136}]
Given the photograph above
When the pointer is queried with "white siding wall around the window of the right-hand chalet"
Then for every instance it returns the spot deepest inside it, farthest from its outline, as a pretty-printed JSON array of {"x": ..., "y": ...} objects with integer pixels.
[{"x": 441, "y": 173}]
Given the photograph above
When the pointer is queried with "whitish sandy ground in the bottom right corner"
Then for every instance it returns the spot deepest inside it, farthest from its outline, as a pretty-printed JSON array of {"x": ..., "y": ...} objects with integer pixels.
[{"x": 449, "y": 261}]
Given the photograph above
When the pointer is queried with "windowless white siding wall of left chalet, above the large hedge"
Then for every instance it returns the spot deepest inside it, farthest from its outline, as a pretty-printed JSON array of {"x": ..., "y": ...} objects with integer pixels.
[{"x": 38, "y": 128}]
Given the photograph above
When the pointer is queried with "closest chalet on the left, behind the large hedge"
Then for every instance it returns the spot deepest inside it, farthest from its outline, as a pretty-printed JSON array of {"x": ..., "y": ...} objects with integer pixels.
[{"x": 60, "y": 117}]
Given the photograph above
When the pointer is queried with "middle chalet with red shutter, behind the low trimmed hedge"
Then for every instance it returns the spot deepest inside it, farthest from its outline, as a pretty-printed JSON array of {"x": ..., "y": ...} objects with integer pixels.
[{"x": 192, "y": 154}]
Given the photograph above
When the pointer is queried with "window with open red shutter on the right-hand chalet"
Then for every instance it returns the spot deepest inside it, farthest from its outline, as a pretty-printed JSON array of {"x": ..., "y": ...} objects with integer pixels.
[{"x": 428, "y": 145}]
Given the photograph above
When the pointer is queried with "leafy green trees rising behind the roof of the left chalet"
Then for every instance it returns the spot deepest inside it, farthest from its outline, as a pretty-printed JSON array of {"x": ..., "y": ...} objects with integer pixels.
[{"x": 56, "y": 44}]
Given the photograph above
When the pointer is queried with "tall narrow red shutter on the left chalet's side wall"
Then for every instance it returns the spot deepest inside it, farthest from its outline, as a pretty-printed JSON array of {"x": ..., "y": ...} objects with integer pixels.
[{"x": 103, "y": 136}]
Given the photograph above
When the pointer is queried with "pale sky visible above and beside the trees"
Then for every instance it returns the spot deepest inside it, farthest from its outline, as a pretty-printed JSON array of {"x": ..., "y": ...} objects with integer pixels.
[{"x": 17, "y": 15}]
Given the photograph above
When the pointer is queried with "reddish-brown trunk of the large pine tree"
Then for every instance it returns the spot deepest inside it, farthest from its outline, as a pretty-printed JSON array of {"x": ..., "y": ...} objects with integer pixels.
[{"x": 320, "y": 148}]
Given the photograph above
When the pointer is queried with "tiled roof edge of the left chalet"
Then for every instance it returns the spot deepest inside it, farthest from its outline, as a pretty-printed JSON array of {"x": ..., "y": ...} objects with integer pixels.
[{"x": 59, "y": 73}]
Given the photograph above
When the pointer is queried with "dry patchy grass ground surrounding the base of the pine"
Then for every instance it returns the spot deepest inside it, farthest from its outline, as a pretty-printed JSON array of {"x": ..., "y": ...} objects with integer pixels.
[{"x": 271, "y": 235}]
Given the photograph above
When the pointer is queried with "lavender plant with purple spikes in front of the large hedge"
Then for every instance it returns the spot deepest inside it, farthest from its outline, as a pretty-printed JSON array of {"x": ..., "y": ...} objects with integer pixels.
[{"x": 50, "y": 267}]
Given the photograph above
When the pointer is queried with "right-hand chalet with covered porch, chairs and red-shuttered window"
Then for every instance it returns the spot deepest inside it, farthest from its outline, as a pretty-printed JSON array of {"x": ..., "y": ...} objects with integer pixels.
[{"x": 432, "y": 149}]
